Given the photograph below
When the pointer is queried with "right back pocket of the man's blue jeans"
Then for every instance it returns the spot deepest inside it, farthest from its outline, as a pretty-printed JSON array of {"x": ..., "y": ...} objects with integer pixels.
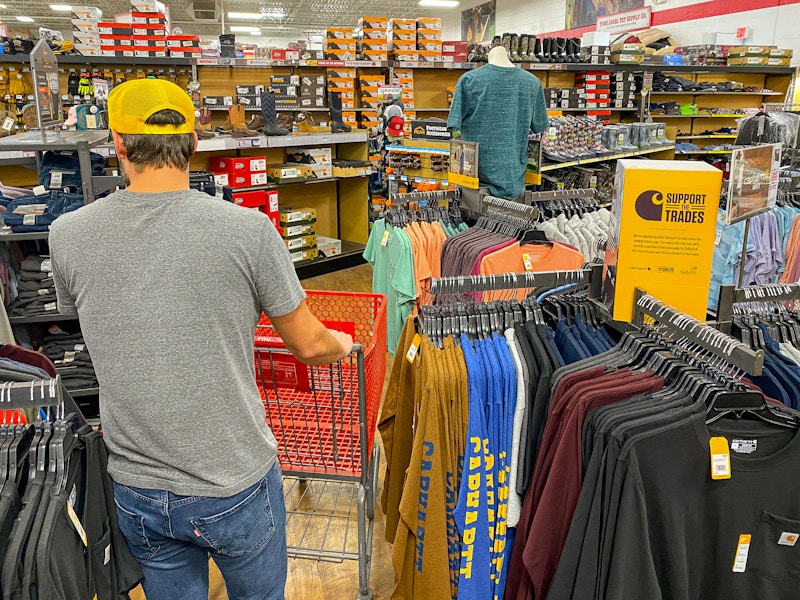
[{"x": 241, "y": 528}]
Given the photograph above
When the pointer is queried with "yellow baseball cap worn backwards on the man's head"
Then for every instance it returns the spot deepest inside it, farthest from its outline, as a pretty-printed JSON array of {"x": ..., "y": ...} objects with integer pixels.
[{"x": 130, "y": 104}]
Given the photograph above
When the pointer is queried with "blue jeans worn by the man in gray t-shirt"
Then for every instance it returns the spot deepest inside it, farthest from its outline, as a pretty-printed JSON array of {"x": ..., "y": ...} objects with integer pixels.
[{"x": 172, "y": 537}]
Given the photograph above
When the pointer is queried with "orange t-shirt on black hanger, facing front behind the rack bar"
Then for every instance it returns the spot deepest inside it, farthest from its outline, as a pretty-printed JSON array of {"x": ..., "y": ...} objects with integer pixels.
[{"x": 542, "y": 257}]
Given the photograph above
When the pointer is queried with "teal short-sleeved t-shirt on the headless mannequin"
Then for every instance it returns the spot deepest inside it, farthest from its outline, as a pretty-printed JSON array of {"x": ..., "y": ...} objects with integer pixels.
[{"x": 496, "y": 106}]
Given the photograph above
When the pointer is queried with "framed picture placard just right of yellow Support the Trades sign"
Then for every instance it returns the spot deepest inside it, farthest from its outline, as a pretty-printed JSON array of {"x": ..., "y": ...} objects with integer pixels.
[{"x": 753, "y": 185}]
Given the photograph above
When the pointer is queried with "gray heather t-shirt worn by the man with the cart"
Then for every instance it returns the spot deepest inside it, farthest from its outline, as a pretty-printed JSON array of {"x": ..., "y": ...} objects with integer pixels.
[{"x": 169, "y": 289}]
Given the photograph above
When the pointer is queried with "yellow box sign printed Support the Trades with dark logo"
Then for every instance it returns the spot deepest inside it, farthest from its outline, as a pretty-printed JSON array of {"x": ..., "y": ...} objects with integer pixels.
[{"x": 661, "y": 235}]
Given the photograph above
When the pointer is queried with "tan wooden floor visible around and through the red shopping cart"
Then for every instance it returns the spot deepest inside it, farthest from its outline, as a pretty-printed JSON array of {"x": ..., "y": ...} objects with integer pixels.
[{"x": 309, "y": 579}]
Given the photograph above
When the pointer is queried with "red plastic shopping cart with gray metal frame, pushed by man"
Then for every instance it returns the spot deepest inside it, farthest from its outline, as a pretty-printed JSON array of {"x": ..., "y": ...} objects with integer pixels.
[{"x": 324, "y": 420}]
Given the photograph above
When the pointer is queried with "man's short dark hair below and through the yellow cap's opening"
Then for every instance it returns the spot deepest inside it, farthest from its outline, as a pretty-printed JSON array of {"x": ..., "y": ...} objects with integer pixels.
[{"x": 159, "y": 151}]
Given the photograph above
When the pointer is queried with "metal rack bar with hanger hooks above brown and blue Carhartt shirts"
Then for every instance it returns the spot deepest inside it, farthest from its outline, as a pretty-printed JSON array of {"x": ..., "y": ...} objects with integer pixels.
[{"x": 515, "y": 281}]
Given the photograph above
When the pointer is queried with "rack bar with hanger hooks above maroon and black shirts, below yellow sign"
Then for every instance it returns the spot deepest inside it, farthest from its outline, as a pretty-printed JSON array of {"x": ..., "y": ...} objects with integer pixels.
[{"x": 717, "y": 343}]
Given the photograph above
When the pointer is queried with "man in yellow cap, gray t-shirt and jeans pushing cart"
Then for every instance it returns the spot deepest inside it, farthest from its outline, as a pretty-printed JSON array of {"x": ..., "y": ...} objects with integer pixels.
[{"x": 169, "y": 284}]
